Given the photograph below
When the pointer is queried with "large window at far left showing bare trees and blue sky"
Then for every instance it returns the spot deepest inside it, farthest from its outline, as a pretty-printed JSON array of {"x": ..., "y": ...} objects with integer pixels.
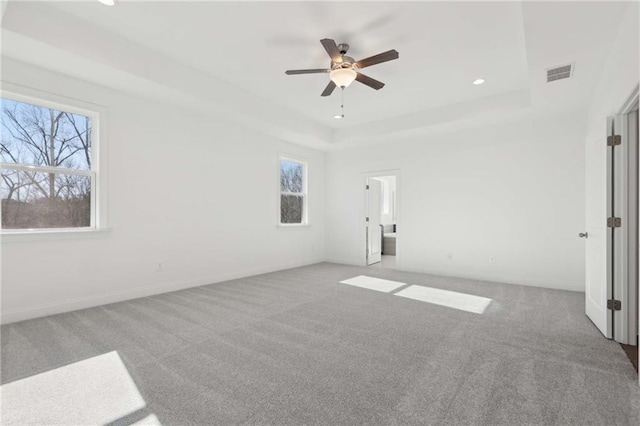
[{"x": 48, "y": 166}]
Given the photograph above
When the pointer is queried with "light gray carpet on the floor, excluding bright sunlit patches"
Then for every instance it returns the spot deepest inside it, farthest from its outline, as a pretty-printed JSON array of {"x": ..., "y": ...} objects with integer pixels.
[{"x": 296, "y": 347}]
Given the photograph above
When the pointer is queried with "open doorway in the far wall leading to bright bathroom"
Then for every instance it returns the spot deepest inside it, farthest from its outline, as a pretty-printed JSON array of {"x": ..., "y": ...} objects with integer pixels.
[{"x": 381, "y": 220}]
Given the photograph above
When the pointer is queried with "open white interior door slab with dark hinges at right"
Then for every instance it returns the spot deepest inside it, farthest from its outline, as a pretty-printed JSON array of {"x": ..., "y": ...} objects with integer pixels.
[{"x": 598, "y": 203}]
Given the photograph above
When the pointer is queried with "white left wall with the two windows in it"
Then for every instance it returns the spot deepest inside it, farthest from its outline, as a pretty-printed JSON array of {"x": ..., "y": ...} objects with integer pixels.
[{"x": 189, "y": 191}]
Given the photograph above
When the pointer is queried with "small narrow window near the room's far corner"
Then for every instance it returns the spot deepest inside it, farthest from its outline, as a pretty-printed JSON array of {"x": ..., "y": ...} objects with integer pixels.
[{"x": 293, "y": 192}]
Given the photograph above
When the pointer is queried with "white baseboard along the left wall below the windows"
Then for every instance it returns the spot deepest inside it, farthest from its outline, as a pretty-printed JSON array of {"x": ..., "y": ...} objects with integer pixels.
[{"x": 36, "y": 311}]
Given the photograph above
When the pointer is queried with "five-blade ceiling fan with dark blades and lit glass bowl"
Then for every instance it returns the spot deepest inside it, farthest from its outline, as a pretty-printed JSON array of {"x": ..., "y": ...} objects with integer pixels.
[{"x": 344, "y": 69}]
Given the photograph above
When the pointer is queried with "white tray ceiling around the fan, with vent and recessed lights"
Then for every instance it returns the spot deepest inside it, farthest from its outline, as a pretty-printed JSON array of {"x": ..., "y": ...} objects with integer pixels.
[{"x": 242, "y": 49}]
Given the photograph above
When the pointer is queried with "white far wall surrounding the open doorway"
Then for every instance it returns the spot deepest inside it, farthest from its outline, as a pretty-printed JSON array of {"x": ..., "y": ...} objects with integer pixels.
[{"x": 510, "y": 191}]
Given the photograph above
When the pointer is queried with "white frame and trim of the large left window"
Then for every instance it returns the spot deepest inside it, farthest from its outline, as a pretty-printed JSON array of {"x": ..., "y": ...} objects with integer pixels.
[{"x": 98, "y": 115}]
